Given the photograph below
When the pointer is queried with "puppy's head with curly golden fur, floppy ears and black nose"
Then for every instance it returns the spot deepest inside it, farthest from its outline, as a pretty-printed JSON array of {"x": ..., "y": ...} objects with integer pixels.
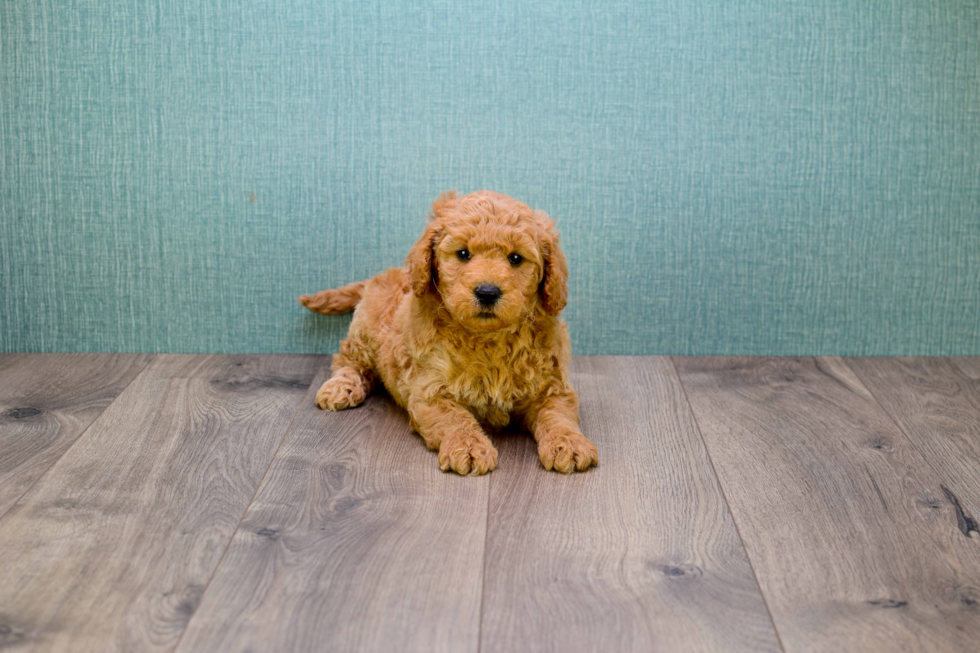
[{"x": 490, "y": 260}]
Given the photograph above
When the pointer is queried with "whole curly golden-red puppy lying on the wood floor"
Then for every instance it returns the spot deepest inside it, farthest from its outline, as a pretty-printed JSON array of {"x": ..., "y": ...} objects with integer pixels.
[{"x": 466, "y": 336}]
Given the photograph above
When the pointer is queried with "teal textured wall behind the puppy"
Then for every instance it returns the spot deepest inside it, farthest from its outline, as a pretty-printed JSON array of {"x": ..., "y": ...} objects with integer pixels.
[{"x": 752, "y": 177}]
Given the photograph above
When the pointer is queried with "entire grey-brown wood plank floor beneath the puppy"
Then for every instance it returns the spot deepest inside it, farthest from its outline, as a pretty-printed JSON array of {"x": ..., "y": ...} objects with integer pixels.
[{"x": 203, "y": 503}]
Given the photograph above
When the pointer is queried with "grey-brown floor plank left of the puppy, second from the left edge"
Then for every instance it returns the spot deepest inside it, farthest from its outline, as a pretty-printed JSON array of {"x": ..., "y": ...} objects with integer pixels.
[{"x": 112, "y": 549}]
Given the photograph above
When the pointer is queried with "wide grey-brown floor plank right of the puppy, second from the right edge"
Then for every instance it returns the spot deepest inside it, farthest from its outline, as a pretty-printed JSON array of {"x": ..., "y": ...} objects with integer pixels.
[{"x": 855, "y": 546}]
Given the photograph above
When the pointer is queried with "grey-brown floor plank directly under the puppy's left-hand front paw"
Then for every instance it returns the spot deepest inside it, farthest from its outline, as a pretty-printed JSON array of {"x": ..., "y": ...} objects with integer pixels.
[{"x": 356, "y": 541}]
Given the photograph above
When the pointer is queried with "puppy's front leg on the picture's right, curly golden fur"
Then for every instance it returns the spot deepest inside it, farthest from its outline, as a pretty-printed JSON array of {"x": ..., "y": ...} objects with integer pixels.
[{"x": 561, "y": 445}]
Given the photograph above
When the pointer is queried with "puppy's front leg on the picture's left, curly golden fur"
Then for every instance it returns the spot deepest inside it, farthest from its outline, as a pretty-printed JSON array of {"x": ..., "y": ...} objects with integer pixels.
[{"x": 453, "y": 431}]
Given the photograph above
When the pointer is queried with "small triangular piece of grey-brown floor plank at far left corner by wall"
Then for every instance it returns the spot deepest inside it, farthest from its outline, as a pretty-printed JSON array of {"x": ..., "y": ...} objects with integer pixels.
[{"x": 46, "y": 402}]
